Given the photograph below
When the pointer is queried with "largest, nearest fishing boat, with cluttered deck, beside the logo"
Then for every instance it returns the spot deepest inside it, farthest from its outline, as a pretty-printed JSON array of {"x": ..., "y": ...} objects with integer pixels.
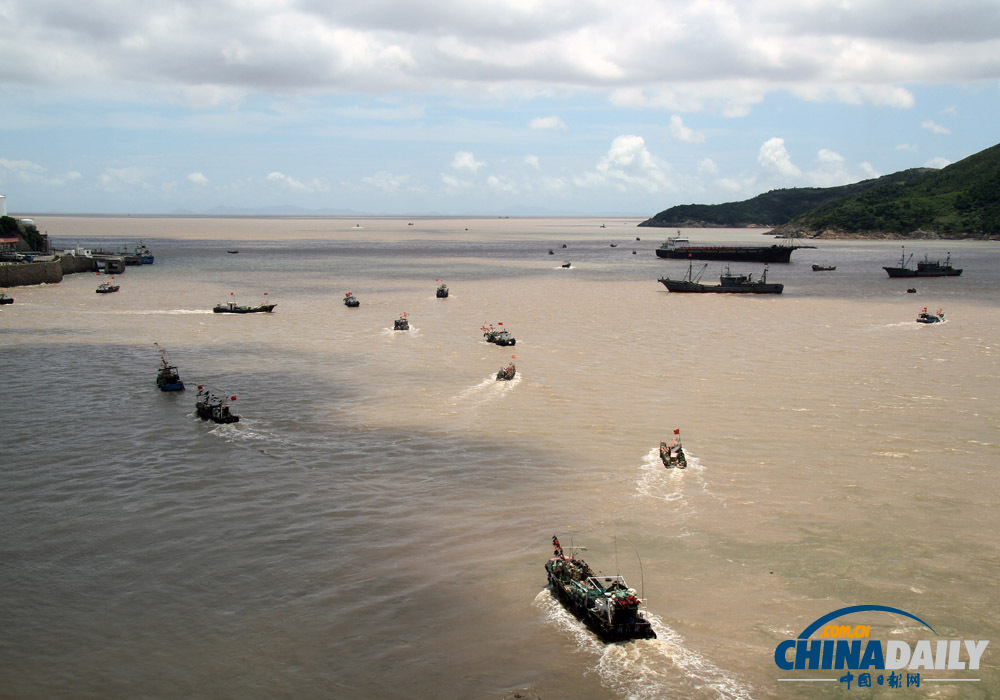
[{"x": 605, "y": 604}]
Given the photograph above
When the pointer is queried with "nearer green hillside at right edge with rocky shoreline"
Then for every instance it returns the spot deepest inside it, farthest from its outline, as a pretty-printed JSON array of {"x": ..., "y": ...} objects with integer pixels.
[{"x": 959, "y": 201}]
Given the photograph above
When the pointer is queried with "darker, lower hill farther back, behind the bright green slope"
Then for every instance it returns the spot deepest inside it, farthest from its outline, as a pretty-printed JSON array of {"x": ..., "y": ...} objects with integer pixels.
[{"x": 770, "y": 209}]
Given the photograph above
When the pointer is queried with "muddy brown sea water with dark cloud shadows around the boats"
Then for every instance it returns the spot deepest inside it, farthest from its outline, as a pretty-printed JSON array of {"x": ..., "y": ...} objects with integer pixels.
[{"x": 377, "y": 523}]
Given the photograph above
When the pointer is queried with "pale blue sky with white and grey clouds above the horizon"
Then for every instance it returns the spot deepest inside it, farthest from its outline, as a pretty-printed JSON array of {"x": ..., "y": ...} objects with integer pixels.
[{"x": 469, "y": 107}]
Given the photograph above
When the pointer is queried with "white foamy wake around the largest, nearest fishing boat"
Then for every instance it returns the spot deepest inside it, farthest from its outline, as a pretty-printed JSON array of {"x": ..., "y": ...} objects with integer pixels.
[{"x": 648, "y": 668}]
